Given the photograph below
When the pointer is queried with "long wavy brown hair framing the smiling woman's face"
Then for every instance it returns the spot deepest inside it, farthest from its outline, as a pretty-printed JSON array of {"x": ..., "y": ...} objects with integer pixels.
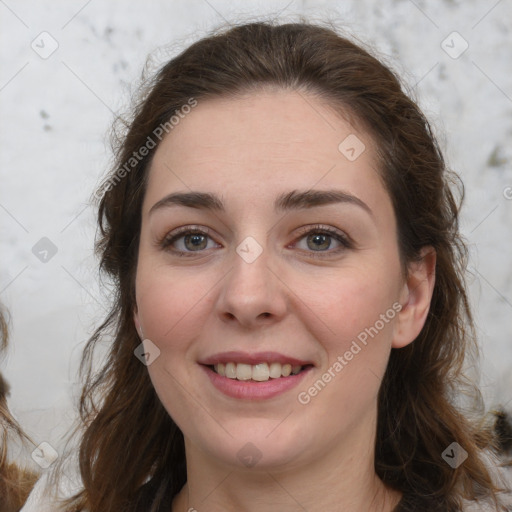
[{"x": 126, "y": 426}]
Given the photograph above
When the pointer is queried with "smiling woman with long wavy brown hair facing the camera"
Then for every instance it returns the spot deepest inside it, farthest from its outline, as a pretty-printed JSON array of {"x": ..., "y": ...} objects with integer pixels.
[{"x": 290, "y": 318}]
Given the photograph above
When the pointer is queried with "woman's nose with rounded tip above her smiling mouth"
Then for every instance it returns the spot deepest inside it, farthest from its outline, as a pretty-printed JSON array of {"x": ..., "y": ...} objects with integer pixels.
[{"x": 252, "y": 294}]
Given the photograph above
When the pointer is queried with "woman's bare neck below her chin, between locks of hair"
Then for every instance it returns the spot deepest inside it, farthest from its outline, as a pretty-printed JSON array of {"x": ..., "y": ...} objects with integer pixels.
[{"x": 343, "y": 478}]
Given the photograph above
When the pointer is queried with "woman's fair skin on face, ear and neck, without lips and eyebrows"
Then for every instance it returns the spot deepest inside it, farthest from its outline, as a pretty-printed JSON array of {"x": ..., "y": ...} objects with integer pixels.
[{"x": 248, "y": 151}]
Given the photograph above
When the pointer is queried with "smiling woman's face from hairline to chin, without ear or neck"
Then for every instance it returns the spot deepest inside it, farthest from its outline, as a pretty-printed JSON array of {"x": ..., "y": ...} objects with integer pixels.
[{"x": 292, "y": 265}]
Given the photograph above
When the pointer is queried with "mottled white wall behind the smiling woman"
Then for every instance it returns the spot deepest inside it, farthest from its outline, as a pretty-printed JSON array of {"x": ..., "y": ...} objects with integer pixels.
[{"x": 68, "y": 66}]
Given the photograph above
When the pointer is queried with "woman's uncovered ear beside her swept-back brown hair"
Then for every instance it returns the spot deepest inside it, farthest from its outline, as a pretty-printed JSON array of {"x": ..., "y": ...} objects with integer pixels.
[{"x": 415, "y": 298}]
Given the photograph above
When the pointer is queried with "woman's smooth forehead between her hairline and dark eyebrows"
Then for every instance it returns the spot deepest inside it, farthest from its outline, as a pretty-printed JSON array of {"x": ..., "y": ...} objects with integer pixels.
[{"x": 264, "y": 143}]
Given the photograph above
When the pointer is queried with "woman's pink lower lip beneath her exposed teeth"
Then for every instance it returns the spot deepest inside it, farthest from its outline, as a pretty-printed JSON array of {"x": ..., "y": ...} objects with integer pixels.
[{"x": 252, "y": 390}]
